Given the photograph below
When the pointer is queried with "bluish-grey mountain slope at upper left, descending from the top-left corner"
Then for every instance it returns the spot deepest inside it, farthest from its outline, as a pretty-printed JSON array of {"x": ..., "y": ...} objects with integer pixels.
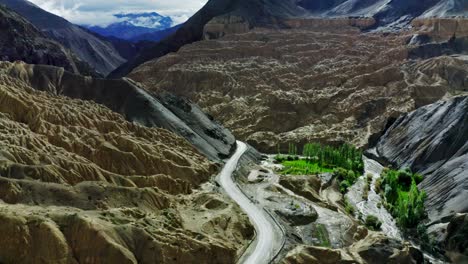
[{"x": 97, "y": 52}]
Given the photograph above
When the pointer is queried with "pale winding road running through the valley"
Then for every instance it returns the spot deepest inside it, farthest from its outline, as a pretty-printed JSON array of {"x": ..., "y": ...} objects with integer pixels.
[{"x": 269, "y": 235}]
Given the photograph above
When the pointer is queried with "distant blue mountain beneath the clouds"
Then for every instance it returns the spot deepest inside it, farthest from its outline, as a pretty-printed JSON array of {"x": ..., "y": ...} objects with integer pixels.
[{"x": 131, "y": 25}]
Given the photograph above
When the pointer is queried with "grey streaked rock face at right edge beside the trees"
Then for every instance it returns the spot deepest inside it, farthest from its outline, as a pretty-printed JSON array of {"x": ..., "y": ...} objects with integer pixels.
[{"x": 433, "y": 140}]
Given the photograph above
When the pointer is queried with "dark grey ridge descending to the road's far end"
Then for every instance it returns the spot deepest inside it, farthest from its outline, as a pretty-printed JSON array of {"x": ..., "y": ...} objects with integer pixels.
[{"x": 136, "y": 105}]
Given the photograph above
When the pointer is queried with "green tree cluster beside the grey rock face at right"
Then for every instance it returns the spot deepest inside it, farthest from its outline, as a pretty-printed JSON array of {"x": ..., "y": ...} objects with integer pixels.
[{"x": 403, "y": 198}]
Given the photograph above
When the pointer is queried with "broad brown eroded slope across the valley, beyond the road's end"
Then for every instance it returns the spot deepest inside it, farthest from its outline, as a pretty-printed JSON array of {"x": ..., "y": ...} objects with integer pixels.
[{"x": 322, "y": 81}]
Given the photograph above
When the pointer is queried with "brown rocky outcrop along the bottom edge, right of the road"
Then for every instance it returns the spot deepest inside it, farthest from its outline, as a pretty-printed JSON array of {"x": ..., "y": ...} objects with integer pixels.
[{"x": 375, "y": 248}]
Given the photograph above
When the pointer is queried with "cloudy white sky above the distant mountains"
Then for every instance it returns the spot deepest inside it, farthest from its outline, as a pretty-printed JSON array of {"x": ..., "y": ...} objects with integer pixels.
[{"x": 100, "y": 12}]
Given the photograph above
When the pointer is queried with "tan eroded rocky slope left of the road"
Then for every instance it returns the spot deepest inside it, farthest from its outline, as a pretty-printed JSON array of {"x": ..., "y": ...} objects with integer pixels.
[{"x": 78, "y": 182}]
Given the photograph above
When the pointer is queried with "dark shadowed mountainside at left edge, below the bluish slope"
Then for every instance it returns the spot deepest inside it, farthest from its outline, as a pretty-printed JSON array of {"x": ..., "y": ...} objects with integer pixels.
[{"x": 20, "y": 40}]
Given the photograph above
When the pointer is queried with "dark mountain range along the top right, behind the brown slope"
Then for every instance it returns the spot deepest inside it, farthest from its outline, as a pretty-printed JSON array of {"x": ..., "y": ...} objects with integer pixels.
[{"x": 219, "y": 17}]
